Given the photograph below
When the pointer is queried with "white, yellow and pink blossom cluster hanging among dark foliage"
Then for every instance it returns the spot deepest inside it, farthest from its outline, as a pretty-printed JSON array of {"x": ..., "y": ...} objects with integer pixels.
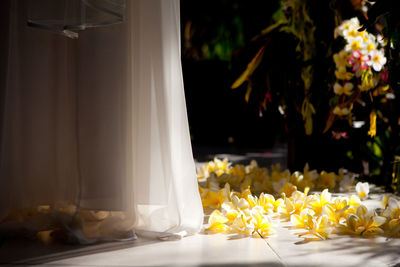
[{"x": 359, "y": 68}]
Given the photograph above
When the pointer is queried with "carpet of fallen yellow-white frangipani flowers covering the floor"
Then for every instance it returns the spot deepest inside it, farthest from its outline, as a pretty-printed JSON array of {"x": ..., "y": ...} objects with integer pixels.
[{"x": 319, "y": 214}]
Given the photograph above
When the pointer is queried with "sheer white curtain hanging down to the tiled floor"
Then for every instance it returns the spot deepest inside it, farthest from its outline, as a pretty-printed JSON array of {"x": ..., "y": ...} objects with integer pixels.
[{"x": 98, "y": 123}]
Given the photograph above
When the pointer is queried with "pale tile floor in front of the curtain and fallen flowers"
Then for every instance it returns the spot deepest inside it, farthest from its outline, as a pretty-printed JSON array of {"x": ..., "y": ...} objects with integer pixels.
[{"x": 212, "y": 250}]
